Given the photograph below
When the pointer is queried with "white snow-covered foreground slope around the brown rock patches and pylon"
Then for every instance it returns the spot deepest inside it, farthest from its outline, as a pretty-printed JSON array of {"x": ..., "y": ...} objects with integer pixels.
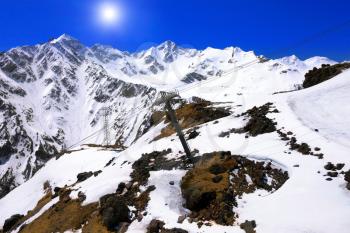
[{"x": 305, "y": 203}]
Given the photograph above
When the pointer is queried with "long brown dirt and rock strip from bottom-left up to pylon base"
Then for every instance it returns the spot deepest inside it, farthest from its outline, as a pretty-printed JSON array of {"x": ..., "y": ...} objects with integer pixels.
[{"x": 113, "y": 212}]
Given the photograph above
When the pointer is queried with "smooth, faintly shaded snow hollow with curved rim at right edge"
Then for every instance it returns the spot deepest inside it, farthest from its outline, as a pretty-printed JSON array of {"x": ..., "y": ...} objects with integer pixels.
[{"x": 325, "y": 107}]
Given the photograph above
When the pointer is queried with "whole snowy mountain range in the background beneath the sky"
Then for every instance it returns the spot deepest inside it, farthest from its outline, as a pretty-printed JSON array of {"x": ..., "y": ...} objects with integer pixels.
[{"x": 54, "y": 93}]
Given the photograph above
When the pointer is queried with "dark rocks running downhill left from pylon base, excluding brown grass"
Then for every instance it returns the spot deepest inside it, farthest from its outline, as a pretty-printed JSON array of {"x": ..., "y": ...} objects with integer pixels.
[{"x": 114, "y": 208}]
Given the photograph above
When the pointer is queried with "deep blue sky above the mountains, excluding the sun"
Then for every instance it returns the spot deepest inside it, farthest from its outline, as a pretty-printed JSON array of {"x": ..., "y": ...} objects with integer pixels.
[{"x": 274, "y": 28}]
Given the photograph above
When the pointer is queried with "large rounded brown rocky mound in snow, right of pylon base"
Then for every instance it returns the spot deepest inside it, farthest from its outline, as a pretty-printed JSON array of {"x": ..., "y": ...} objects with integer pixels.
[{"x": 210, "y": 189}]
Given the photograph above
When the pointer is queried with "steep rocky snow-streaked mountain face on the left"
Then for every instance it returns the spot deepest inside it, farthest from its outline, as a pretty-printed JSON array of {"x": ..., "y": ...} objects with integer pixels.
[{"x": 51, "y": 96}]
